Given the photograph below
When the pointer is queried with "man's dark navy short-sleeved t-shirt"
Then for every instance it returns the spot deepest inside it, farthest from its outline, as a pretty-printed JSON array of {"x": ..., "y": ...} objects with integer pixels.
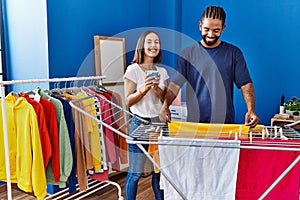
[{"x": 210, "y": 74}]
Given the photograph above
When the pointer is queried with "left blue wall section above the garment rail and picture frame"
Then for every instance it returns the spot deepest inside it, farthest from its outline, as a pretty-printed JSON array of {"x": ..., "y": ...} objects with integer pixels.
[{"x": 72, "y": 25}]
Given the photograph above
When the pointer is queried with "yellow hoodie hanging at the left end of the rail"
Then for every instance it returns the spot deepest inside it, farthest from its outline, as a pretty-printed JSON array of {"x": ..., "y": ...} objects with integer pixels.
[{"x": 27, "y": 165}]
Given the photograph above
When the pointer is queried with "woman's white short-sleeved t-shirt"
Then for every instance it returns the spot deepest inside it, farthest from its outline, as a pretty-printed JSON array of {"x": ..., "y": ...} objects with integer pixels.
[{"x": 150, "y": 104}]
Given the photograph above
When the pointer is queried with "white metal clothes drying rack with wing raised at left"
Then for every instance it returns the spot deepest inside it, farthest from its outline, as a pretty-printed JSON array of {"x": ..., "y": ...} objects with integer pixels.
[{"x": 152, "y": 134}]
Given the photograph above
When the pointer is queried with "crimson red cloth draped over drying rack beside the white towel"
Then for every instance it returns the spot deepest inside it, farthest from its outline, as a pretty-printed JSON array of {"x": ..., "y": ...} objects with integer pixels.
[{"x": 258, "y": 169}]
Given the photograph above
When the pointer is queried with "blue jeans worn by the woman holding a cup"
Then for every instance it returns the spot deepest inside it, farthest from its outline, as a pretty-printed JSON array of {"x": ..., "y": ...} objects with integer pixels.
[{"x": 137, "y": 161}]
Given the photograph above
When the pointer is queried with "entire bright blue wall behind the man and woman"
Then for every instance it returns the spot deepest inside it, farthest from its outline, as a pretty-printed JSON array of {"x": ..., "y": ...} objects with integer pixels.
[{"x": 266, "y": 31}]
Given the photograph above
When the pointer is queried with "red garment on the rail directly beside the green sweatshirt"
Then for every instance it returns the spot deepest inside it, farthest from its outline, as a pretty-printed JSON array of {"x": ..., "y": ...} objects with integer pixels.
[{"x": 52, "y": 125}]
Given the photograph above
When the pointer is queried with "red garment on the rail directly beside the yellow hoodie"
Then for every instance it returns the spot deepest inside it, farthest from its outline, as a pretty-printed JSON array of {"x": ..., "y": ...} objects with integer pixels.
[{"x": 44, "y": 134}]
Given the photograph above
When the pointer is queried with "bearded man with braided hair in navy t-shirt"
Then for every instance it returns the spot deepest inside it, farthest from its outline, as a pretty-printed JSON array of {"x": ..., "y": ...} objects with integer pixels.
[{"x": 211, "y": 68}]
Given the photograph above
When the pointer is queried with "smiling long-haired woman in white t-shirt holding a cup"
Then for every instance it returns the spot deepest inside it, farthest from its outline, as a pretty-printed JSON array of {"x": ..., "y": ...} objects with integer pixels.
[{"x": 143, "y": 95}]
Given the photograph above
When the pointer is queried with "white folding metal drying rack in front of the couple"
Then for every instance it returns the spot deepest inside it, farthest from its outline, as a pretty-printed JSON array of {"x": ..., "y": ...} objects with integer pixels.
[{"x": 150, "y": 134}]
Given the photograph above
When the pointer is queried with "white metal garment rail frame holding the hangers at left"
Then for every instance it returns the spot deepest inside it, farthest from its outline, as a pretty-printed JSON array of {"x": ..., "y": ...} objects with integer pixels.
[{"x": 4, "y": 118}]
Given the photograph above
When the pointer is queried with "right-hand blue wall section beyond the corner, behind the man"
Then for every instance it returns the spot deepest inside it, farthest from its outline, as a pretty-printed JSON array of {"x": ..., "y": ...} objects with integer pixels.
[{"x": 266, "y": 31}]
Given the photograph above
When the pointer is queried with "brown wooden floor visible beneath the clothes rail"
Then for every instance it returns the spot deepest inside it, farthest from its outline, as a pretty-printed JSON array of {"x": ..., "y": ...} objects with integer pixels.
[{"x": 110, "y": 192}]
